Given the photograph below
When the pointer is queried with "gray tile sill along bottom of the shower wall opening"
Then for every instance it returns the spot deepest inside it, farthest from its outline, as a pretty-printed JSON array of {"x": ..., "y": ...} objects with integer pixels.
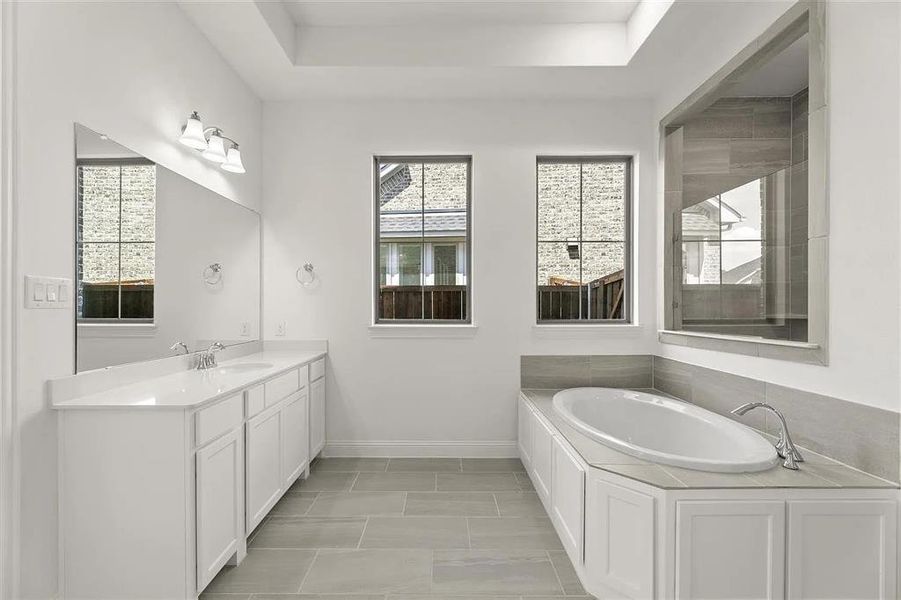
[{"x": 805, "y": 352}]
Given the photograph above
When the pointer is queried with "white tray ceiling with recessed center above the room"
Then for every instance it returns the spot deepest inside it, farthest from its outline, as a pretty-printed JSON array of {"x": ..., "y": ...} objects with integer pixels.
[{"x": 667, "y": 48}]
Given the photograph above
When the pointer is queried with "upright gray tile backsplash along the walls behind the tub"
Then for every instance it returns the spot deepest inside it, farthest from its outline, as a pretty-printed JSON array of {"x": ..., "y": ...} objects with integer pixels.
[{"x": 857, "y": 435}]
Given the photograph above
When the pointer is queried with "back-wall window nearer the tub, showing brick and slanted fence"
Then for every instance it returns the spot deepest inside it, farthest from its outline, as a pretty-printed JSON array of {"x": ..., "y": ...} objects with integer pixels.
[{"x": 584, "y": 207}]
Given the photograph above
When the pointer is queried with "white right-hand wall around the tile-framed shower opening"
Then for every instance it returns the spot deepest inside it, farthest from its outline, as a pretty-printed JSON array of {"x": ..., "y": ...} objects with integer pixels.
[{"x": 864, "y": 189}]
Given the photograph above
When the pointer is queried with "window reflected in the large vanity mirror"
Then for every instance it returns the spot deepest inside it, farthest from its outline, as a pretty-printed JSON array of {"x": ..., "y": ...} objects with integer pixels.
[{"x": 115, "y": 239}]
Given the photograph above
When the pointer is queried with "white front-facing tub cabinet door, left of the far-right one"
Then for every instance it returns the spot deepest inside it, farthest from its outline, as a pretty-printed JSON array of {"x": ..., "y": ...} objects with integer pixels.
[{"x": 727, "y": 549}]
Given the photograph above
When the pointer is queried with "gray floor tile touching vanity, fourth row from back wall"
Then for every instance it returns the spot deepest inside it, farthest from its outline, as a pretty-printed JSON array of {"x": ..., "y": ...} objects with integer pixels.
[{"x": 310, "y": 532}]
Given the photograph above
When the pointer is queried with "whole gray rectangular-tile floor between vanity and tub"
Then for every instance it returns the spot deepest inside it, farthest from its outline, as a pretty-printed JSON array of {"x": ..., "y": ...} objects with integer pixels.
[{"x": 404, "y": 529}]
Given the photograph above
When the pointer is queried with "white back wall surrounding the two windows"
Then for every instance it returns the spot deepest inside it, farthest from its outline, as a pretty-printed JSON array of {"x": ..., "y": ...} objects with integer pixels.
[{"x": 318, "y": 207}]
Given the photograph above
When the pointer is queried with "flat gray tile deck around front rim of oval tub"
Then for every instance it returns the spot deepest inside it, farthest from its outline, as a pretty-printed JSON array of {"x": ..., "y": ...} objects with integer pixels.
[{"x": 817, "y": 472}]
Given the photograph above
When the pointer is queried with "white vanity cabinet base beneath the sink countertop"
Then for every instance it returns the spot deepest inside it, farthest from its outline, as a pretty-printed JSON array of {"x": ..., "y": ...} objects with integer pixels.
[{"x": 154, "y": 501}]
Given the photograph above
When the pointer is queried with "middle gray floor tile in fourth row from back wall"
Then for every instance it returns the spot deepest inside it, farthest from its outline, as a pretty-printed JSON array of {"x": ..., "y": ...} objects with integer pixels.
[{"x": 416, "y": 532}]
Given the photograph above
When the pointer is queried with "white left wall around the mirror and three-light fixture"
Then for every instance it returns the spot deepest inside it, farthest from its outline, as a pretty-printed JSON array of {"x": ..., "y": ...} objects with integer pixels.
[{"x": 133, "y": 71}]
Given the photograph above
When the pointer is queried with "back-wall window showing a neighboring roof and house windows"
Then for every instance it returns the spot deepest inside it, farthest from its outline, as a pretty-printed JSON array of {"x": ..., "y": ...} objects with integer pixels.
[{"x": 422, "y": 233}]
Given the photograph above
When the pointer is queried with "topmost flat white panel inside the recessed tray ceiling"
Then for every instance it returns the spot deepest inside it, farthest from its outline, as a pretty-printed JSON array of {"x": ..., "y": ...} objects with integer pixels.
[{"x": 404, "y": 13}]
